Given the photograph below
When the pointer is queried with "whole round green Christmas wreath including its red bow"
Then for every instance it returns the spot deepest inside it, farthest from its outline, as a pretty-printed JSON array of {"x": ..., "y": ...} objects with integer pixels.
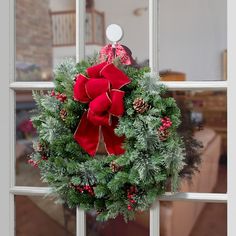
[{"x": 107, "y": 137}]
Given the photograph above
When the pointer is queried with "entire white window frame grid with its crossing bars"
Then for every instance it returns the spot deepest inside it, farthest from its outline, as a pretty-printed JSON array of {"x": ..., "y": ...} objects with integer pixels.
[{"x": 7, "y": 118}]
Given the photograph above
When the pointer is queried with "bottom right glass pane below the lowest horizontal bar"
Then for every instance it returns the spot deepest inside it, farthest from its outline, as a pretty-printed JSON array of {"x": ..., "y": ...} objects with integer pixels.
[{"x": 193, "y": 219}]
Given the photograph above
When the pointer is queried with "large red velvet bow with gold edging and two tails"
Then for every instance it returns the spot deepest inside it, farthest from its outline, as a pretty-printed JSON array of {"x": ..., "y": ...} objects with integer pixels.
[{"x": 102, "y": 91}]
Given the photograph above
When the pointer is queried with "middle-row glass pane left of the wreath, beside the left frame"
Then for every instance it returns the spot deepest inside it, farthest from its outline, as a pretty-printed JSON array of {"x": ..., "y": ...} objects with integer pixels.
[{"x": 26, "y": 175}]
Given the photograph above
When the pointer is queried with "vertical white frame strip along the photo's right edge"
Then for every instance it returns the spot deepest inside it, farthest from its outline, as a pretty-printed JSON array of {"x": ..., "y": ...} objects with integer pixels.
[{"x": 231, "y": 125}]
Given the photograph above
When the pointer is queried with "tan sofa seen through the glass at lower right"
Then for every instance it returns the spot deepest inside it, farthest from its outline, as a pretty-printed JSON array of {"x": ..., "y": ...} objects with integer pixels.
[{"x": 173, "y": 214}]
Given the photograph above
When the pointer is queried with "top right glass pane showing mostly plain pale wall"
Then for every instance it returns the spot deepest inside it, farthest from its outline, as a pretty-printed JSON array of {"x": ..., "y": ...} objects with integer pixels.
[{"x": 193, "y": 39}]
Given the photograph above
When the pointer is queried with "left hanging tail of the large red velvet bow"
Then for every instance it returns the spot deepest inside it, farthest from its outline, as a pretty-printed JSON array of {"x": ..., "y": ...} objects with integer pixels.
[{"x": 87, "y": 135}]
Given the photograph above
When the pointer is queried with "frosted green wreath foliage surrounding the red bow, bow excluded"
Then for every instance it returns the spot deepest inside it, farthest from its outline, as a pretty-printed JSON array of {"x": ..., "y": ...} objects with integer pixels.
[{"x": 93, "y": 183}]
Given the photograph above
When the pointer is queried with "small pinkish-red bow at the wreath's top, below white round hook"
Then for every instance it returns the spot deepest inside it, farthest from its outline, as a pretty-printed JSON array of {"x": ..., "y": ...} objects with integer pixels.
[{"x": 109, "y": 52}]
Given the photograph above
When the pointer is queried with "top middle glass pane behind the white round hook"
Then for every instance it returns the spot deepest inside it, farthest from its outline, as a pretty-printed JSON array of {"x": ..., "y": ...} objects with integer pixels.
[{"x": 132, "y": 16}]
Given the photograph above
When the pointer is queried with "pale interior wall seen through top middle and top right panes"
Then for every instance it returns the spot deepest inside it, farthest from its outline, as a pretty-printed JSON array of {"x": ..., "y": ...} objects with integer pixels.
[{"x": 192, "y": 33}]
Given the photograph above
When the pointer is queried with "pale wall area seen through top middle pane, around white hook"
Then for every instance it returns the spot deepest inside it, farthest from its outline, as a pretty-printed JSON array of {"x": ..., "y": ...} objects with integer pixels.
[{"x": 135, "y": 28}]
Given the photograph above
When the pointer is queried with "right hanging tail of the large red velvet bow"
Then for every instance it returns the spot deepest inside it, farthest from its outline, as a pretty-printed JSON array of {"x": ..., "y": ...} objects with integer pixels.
[{"x": 113, "y": 143}]
